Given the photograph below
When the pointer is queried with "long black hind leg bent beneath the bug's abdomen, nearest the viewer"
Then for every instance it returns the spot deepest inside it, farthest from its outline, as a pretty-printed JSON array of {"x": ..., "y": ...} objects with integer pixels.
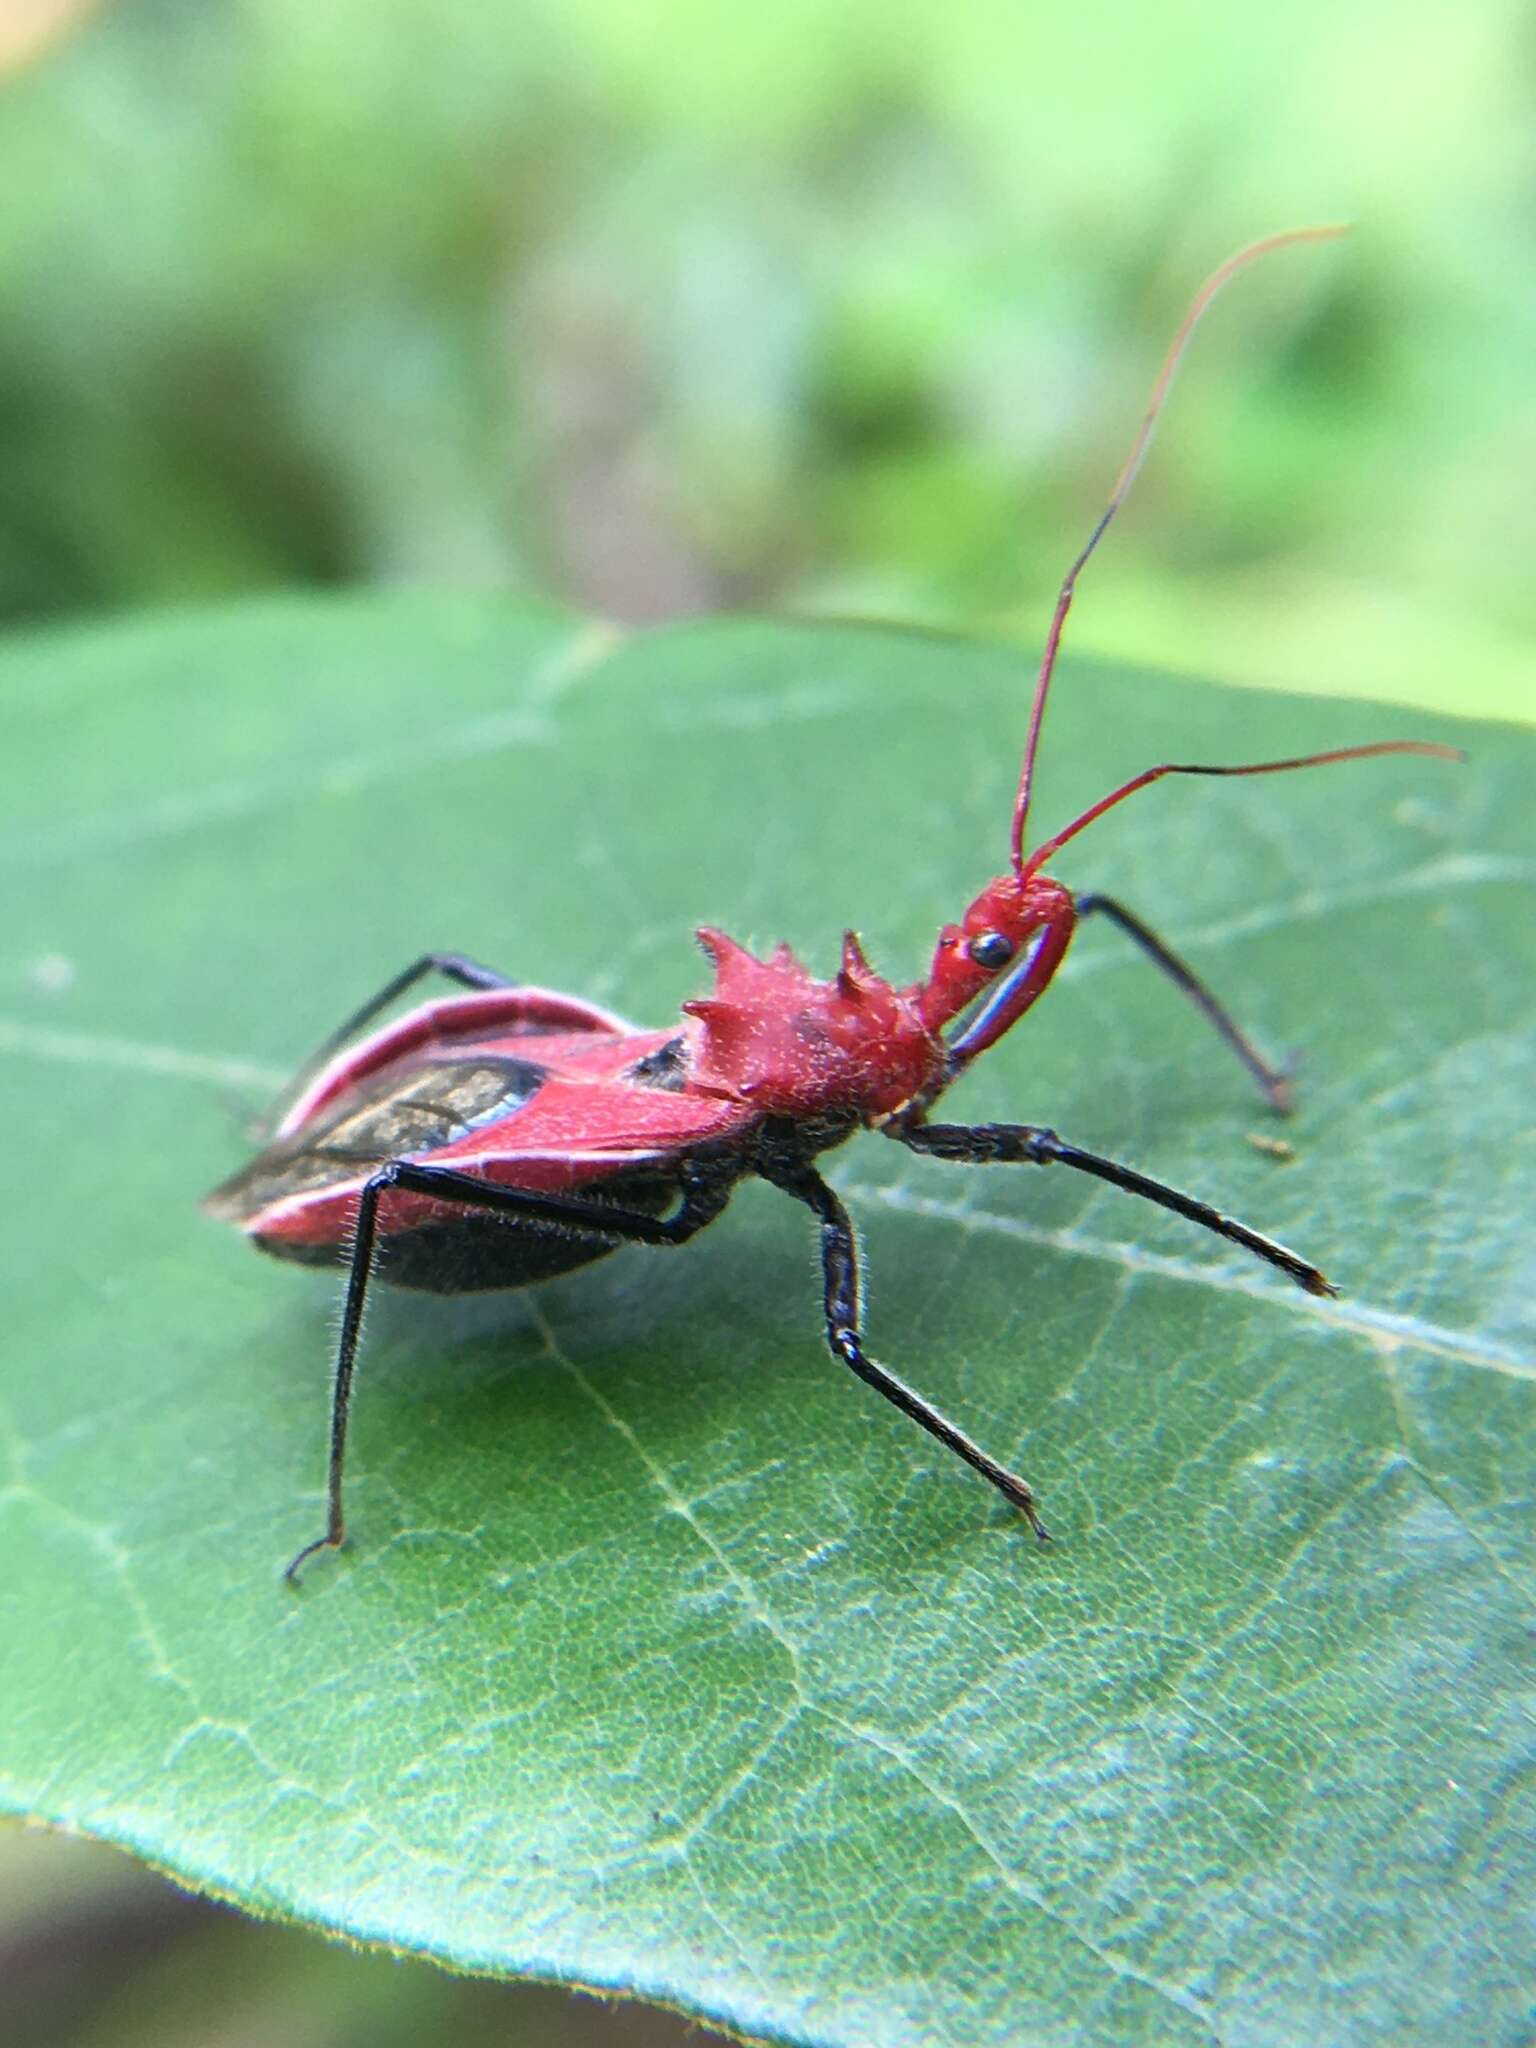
[{"x": 703, "y": 1197}]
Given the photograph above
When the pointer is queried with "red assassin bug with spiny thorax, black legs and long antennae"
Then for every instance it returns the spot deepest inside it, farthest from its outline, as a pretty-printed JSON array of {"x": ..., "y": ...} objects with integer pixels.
[{"x": 507, "y": 1134}]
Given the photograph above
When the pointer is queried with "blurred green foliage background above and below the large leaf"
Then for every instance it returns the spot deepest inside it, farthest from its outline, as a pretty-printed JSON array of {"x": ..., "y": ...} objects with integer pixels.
[{"x": 663, "y": 306}]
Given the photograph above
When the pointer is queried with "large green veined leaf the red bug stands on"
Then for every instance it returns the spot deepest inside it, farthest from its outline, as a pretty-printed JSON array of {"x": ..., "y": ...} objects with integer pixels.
[{"x": 665, "y": 1656}]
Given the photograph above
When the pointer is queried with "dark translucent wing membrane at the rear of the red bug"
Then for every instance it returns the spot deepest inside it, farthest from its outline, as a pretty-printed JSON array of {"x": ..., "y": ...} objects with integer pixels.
[{"x": 392, "y": 1115}]
